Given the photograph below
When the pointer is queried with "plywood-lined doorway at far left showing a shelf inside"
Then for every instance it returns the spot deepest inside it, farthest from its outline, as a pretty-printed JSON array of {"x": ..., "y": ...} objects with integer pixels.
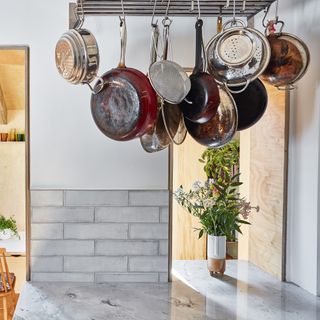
[{"x": 14, "y": 155}]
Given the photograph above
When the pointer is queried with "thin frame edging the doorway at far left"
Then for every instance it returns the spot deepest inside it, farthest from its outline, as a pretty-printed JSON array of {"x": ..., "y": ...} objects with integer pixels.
[{"x": 27, "y": 145}]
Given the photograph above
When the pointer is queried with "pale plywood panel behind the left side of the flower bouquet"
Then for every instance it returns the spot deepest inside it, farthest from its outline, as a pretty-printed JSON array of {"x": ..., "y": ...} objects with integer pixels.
[{"x": 186, "y": 169}]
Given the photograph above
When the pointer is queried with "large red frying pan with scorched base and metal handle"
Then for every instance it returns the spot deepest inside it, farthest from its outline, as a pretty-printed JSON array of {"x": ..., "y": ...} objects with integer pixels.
[{"x": 126, "y": 106}]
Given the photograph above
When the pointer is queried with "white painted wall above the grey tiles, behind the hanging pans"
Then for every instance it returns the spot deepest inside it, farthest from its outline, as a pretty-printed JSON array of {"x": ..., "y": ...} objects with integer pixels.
[{"x": 67, "y": 150}]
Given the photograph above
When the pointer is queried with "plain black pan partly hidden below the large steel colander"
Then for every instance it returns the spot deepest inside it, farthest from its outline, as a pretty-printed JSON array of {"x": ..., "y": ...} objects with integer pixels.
[{"x": 251, "y": 104}]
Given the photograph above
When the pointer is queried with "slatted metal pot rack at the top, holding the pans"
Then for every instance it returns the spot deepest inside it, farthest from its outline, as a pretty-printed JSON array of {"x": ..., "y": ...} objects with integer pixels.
[{"x": 208, "y": 8}]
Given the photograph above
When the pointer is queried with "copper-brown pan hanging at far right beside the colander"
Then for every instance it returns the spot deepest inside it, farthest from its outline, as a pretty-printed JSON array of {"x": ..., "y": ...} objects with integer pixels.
[{"x": 289, "y": 58}]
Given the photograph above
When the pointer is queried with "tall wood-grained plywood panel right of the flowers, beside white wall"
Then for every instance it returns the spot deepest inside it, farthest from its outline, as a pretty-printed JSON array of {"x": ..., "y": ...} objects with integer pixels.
[{"x": 267, "y": 163}]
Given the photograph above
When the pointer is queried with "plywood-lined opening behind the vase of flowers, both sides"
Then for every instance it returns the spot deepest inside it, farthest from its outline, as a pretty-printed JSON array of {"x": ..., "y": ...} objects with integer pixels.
[{"x": 263, "y": 163}]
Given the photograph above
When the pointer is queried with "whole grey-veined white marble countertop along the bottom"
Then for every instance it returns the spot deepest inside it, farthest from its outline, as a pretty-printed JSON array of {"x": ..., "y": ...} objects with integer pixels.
[{"x": 245, "y": 292}]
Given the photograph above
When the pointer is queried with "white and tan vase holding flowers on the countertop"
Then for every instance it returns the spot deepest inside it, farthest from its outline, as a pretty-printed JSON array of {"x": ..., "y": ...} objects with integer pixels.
[{"x": 216, "y": 254}]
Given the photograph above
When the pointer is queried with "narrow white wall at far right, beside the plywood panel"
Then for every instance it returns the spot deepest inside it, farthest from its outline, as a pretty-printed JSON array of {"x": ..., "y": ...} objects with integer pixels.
[{"x": 302, "y": 19}]
